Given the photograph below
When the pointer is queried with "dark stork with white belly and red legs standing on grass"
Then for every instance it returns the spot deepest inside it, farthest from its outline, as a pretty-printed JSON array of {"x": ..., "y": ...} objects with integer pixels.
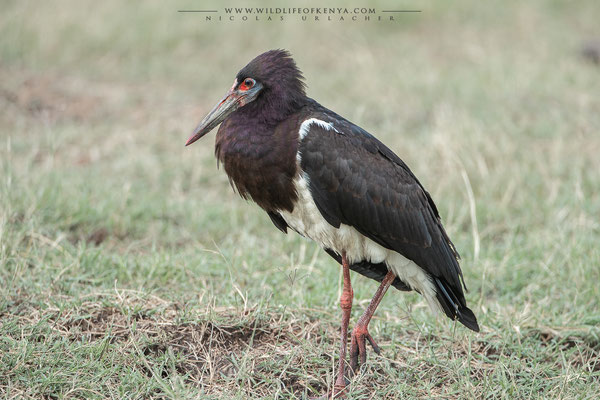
[{"x": 320, "y": 175}]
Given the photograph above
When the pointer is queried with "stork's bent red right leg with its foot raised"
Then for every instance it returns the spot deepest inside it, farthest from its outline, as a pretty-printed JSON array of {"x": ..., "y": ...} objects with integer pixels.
[{"x": 360, "y": 332}]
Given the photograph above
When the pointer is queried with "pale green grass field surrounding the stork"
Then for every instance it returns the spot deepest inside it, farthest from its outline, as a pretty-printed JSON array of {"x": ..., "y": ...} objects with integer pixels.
[{"x": 129, "y": 268}]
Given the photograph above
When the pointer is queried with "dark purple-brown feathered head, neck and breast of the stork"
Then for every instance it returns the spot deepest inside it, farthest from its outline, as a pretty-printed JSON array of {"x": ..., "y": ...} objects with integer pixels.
[{"x": 257, "y": 144}]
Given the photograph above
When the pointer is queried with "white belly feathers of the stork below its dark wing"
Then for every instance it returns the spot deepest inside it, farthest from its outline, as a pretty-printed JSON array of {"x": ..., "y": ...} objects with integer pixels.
[{"x": 308, "y": 221}]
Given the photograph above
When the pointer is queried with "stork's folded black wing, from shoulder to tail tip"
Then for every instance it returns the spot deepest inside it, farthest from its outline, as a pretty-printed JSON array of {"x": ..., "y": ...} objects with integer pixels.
[{"x": 356, "y": 180}]
